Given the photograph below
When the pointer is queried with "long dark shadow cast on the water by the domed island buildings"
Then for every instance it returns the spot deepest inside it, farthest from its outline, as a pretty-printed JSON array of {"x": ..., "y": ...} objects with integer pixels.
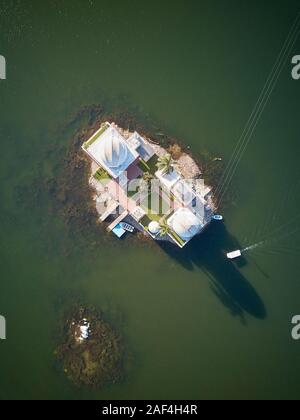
[{"x": 208, "y": 252}]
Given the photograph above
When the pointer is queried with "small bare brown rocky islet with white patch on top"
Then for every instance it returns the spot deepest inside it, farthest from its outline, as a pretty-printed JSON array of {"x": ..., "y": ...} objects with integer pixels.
[{"x": 90, "y": 351}]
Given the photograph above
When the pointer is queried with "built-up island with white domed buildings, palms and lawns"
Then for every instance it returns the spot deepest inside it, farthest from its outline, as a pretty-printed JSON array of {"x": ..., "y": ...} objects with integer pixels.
[{"x": 139, "y": 185}]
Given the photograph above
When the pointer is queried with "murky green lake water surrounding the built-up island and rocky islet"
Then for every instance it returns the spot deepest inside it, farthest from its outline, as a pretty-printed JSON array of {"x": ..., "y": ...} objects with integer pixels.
[{"x": 197, "y": 326}]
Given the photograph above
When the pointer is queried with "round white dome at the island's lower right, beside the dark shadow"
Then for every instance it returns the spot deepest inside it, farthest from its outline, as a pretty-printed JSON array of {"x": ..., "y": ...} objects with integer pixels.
[{"x": 186, "y": 224}]
